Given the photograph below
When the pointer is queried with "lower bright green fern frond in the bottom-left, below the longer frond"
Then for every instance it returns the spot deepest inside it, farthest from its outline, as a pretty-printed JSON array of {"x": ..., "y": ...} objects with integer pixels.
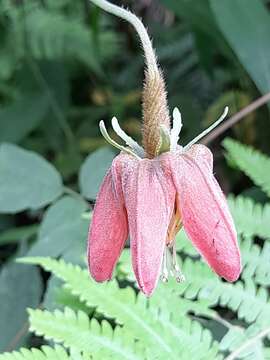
[{"x": 76, "y": 331}]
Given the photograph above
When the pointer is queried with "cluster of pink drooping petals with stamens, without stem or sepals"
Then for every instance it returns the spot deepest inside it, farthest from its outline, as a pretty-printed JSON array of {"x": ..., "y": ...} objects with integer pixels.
[{"x": 149, "y": 200}]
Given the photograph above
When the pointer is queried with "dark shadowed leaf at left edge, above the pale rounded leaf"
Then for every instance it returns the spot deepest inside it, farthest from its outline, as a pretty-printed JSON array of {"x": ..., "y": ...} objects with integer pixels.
[{"x": 20, "y": 118}]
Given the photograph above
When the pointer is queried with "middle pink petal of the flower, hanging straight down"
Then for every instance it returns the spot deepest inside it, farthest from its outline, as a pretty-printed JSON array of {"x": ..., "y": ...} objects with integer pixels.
[{"x": 149, "y": 198}]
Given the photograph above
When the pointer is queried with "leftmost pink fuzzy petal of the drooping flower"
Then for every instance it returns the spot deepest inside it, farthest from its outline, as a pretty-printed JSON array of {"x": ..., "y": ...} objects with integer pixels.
[{"x": 108, "y": 229}]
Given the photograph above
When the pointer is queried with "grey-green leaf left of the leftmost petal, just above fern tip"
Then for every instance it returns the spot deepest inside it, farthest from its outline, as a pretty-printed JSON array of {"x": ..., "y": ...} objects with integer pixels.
[{"x": 62, "y": 228}]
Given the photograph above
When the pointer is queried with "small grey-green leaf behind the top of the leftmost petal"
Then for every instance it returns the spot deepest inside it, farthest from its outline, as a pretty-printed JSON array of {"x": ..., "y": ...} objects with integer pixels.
[{"x": 93, "y": 170}]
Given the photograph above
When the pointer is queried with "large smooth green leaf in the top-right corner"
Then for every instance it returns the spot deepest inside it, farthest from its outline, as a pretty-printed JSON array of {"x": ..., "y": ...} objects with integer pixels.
[{"x": 247, "y": 28}]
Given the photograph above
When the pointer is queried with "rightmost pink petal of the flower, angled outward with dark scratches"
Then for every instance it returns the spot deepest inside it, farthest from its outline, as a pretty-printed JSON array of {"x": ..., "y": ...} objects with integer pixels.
[{"x": 205, "y": 213}]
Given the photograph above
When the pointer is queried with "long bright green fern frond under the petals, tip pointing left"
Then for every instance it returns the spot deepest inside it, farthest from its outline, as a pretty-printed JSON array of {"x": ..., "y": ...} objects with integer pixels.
[{"x": 144, "y": 322}]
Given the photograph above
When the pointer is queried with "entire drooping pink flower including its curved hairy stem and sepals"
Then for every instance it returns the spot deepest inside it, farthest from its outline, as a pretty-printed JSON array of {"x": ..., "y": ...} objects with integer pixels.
[{"x": 149, "y": 193}]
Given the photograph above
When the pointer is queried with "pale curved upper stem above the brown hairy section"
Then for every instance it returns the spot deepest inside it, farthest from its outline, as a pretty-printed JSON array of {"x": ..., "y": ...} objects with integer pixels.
[{"x": 150, "y": 56}]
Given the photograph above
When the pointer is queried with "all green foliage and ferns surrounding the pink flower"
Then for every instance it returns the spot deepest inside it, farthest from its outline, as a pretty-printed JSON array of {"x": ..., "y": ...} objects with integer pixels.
[{"x": 64, "y": 65}]
